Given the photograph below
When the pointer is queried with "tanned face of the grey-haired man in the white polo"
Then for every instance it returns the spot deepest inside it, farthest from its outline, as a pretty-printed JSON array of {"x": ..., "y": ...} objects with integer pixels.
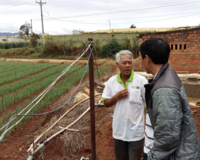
[{"x": 125, "y": 65}]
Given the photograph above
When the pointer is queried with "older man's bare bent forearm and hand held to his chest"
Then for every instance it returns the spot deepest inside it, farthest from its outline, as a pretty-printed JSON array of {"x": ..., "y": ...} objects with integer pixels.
[{"x": 121, "y": 94}]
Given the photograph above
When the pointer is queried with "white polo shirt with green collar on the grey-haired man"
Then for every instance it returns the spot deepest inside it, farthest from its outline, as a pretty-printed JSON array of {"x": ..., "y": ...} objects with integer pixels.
[{"x": 128, "y": 119}]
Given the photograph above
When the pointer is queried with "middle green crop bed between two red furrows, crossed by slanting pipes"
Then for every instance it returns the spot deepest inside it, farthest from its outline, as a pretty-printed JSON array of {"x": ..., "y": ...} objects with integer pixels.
[{"x": 29, "y": 90}]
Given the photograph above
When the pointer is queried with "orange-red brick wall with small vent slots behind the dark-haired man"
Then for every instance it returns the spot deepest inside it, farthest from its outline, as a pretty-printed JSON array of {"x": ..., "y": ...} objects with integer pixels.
[{"x": 185, "y": 48}]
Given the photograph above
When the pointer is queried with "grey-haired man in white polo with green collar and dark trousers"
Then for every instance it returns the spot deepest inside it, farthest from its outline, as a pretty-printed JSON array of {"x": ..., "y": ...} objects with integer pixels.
[{"x": 126, "y": 91}]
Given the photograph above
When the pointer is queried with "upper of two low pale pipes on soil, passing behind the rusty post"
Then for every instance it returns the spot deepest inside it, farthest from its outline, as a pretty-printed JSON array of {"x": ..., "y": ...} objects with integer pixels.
[{"x": 36, "y": 140}]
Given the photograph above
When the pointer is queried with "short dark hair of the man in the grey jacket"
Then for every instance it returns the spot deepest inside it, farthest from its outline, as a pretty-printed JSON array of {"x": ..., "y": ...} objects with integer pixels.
[{"x": 157, "y": 49}]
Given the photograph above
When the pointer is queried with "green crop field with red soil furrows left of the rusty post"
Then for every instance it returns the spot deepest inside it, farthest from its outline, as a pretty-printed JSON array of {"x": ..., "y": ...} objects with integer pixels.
[{"x": 17, "y": 94}]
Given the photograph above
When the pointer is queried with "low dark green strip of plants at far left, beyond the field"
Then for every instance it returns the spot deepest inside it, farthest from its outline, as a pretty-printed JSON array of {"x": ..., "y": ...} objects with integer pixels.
[{"x": 9, "y": 45}]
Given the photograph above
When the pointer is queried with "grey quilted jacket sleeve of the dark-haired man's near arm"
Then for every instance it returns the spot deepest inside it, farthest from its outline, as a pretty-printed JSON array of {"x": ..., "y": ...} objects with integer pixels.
[{"x": 168, "y": 116}]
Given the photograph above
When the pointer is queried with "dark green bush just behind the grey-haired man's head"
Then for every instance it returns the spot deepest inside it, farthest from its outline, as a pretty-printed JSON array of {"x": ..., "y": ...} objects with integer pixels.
[{"x": 109, "y": 49}]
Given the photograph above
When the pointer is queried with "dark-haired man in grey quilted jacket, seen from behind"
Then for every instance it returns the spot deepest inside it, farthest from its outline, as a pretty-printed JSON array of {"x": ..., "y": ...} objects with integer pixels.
[{"x": 175, "y": 135}]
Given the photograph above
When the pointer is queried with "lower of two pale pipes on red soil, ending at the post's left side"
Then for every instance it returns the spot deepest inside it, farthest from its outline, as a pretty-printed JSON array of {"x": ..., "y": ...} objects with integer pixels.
[{"x": 54, "y": 135}]
